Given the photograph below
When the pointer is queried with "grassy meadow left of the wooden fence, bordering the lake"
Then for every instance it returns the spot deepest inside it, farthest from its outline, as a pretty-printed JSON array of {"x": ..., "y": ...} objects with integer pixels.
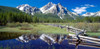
[{"x": 32, "y": 28}]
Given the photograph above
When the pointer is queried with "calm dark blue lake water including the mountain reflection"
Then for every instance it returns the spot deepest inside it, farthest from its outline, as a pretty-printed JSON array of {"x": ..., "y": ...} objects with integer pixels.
[{"x": 41, "y": 41}]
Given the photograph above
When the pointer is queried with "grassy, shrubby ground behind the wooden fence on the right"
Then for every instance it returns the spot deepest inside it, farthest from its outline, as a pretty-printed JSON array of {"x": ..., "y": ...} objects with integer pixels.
[{"x": 93, "y": 29}]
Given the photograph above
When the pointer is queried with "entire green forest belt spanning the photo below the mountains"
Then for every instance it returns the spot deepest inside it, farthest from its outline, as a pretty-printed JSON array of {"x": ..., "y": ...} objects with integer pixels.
[{"x": 13, "y": 17}]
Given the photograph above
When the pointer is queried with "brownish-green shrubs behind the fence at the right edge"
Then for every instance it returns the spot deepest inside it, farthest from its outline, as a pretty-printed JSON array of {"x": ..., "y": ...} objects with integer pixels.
[{"x": 92, "y": 27}]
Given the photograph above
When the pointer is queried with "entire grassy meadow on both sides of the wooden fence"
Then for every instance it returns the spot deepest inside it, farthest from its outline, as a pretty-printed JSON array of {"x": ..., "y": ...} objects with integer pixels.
[{"x": 41, "y": 28}]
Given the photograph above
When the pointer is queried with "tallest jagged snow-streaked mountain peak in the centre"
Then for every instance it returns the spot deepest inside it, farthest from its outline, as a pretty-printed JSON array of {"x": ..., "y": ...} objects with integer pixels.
[{"x": 56, "y": 9}]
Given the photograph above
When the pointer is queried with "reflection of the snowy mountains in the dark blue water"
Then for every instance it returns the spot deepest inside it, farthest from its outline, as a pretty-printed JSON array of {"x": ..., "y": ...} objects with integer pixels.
[{"x": 48, "y": 38}]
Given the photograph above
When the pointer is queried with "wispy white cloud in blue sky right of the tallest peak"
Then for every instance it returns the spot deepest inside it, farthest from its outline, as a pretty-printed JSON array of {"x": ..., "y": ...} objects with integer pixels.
[{"x": 80, "y": 10}]
